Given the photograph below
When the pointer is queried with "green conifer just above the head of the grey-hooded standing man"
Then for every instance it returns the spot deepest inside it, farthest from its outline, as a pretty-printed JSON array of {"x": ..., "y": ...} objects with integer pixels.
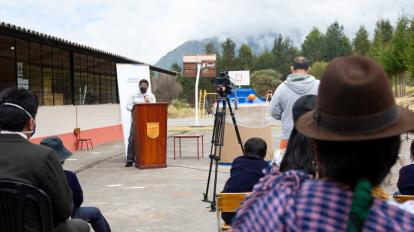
[{"x": 312, "y": 46}]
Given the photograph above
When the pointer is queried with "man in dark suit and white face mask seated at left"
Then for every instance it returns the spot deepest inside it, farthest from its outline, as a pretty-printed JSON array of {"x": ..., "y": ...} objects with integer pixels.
[{"x": 23, "y": 161}]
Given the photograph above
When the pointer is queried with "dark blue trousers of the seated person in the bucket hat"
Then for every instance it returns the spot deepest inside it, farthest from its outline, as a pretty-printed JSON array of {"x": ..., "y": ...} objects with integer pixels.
[{"x": 94, "y": 216}]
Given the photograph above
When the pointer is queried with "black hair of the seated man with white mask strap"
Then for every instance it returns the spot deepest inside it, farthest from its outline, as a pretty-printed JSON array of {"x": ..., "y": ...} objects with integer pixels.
[{"x": 12, "y": 118}]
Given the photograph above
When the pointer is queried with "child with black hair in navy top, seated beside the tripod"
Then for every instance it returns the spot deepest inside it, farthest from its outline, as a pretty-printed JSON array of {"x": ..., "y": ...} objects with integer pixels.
[{"x": 246, "y": 170}]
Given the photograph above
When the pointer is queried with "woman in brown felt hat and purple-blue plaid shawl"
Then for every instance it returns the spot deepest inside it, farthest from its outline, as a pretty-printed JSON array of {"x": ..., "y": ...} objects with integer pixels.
[{"x": 356, "y": 126}]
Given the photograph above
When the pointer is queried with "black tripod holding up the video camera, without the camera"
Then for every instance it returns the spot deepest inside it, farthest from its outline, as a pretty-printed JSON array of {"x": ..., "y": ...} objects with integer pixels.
[{"x": 217, "y": 144}]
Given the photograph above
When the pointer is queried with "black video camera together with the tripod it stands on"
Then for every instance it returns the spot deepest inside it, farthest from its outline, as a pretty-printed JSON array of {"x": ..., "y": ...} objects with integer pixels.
[{"x": 223, "y": 87}]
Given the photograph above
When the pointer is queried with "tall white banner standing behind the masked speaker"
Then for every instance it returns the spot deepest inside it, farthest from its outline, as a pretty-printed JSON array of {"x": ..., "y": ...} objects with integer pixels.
[{"x": 128, "y": 76}]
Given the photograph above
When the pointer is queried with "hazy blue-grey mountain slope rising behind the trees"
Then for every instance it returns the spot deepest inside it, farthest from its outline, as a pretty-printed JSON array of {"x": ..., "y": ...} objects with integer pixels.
[{"x": 257, "y": 43}]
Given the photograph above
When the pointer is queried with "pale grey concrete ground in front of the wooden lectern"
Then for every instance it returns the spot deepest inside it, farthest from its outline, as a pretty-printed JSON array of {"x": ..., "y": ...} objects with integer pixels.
[{"x": 167, "y": 199}]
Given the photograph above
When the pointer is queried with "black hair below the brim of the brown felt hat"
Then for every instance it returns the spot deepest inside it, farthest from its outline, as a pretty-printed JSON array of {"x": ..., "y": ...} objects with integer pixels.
[{"x": 348, "y": 162}]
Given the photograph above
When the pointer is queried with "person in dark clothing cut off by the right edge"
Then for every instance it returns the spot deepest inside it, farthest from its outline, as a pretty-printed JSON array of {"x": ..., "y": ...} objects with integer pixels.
[{"x": 406, "y": 180}]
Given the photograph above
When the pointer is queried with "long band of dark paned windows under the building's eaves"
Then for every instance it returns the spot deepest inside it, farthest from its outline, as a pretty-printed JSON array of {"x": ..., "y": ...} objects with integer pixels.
[{"x": 46, "y": 71}]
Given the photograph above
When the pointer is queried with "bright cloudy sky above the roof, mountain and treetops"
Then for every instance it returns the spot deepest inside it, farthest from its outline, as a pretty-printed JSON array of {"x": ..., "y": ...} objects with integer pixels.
[{"x": 146, "y": 30}]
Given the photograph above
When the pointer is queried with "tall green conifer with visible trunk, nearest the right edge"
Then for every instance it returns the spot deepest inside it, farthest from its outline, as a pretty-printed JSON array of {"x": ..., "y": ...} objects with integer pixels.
[{"x": 394, "y": 56}]
